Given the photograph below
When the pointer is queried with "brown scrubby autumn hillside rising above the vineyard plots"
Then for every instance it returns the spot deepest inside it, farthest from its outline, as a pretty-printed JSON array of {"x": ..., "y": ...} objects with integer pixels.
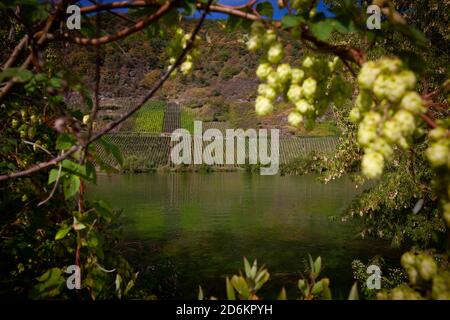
[{"x": 222, "y": 87}]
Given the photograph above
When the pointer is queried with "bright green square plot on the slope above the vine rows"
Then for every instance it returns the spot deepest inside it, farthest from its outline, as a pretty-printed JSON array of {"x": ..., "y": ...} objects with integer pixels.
[{"x": 150, "y": 117}]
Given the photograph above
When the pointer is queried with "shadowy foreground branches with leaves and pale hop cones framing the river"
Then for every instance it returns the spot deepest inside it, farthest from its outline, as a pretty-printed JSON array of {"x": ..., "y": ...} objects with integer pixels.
[{"x": 400, "y": 119}]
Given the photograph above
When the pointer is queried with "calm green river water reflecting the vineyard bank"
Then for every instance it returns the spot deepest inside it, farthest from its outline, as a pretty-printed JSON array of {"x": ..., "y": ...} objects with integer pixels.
[{"x": 182, "y": 230}]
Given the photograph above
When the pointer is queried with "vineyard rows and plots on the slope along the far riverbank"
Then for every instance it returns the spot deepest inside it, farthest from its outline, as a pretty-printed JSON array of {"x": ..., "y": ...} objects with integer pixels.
[{"x": 145, "y": 145}]
